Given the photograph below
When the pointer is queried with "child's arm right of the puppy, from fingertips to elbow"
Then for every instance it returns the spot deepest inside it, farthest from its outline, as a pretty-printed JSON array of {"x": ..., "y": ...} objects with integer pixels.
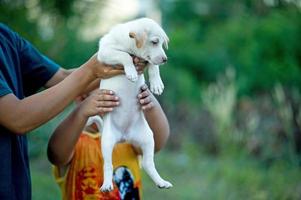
[{"x": 155, "y": 117}]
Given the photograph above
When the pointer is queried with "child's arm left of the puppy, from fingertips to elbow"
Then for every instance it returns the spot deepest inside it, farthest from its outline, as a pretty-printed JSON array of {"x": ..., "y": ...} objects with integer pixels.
[{"x": 63, "y": 140}]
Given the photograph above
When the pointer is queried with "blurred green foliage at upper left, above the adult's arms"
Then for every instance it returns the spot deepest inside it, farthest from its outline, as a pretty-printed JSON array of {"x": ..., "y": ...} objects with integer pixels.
[{"x": 53, "y": 27}]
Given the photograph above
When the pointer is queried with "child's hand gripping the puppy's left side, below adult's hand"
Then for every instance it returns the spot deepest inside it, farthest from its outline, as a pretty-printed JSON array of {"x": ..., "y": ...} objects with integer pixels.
[{"x": 98, "y": 102}]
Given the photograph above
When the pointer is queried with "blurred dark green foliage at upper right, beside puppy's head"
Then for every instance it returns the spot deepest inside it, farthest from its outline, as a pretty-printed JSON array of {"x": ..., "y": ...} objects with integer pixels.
[{"x": 264, "y": 49}]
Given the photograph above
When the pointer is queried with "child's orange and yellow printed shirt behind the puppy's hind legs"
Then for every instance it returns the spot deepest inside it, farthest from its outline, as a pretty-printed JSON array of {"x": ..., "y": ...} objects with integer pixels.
[{"x": 85, "y": 173}]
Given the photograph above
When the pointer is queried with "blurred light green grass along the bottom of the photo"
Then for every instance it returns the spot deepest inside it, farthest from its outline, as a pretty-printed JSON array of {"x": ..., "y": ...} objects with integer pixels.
[{"x": 200, "y": 177}]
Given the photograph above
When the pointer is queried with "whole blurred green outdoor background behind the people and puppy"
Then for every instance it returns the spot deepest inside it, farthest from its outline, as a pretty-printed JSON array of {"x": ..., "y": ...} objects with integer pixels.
[{"x": 232, "y": 94}]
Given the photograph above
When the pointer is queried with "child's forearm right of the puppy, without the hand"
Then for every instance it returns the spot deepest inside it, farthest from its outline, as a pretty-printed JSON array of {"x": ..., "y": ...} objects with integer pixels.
[{"x": 158, "y": 123}]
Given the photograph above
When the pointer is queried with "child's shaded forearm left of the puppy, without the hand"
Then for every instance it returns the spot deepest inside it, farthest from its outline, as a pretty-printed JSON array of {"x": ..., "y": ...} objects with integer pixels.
[{"x": 63, "y": 141}]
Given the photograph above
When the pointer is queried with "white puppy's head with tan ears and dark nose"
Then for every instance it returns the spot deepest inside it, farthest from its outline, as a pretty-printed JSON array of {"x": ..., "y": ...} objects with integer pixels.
[{"x": 150, "y": 39}]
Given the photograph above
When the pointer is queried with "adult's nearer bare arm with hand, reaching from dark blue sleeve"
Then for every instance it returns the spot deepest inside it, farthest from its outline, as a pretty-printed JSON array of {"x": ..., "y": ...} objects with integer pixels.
[{"x": 24, "y": 115}]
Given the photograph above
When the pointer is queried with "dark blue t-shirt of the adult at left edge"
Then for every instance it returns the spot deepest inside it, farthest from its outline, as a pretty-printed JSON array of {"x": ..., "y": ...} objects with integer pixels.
[{"x": 23, "y": 70}]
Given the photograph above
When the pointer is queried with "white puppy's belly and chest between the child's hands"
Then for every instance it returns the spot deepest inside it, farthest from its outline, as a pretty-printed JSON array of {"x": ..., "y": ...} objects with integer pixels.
[{"x": 128, "y": 112}]
